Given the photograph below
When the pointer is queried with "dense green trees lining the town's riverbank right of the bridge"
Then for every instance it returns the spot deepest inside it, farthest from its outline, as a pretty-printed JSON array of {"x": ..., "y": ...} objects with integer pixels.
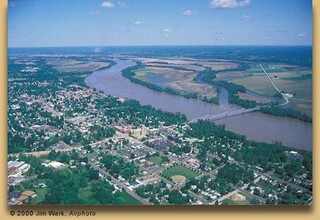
[{"x": 252, "y": 153}]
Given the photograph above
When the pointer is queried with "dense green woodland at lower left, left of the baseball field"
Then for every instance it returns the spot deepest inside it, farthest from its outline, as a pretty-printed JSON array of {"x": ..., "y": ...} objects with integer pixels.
[{"x": 75, "y": 183}]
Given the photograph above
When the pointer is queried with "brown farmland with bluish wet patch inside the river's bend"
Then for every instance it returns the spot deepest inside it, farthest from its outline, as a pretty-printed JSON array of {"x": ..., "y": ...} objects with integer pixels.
[{"x": 179, "y": 74}]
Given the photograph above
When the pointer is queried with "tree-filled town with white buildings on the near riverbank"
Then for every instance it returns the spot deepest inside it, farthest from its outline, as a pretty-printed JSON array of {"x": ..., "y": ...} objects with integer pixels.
[{"x": 70, "y": 144}]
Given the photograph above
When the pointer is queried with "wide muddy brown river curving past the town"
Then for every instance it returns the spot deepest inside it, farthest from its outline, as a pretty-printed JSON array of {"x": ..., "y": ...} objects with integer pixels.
[{"x": 256, "y": 126}]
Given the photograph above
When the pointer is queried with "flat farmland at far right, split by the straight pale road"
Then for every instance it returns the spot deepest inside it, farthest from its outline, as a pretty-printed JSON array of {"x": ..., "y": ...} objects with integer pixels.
[{"x": 290, "y": 79}]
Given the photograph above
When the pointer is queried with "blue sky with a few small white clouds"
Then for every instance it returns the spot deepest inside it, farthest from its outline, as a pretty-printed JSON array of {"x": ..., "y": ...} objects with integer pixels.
[{"x": 51, "y": 23}]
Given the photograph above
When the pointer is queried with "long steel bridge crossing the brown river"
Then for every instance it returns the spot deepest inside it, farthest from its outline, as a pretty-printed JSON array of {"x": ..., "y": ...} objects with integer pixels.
[{"x": 227, "y": 114}]
